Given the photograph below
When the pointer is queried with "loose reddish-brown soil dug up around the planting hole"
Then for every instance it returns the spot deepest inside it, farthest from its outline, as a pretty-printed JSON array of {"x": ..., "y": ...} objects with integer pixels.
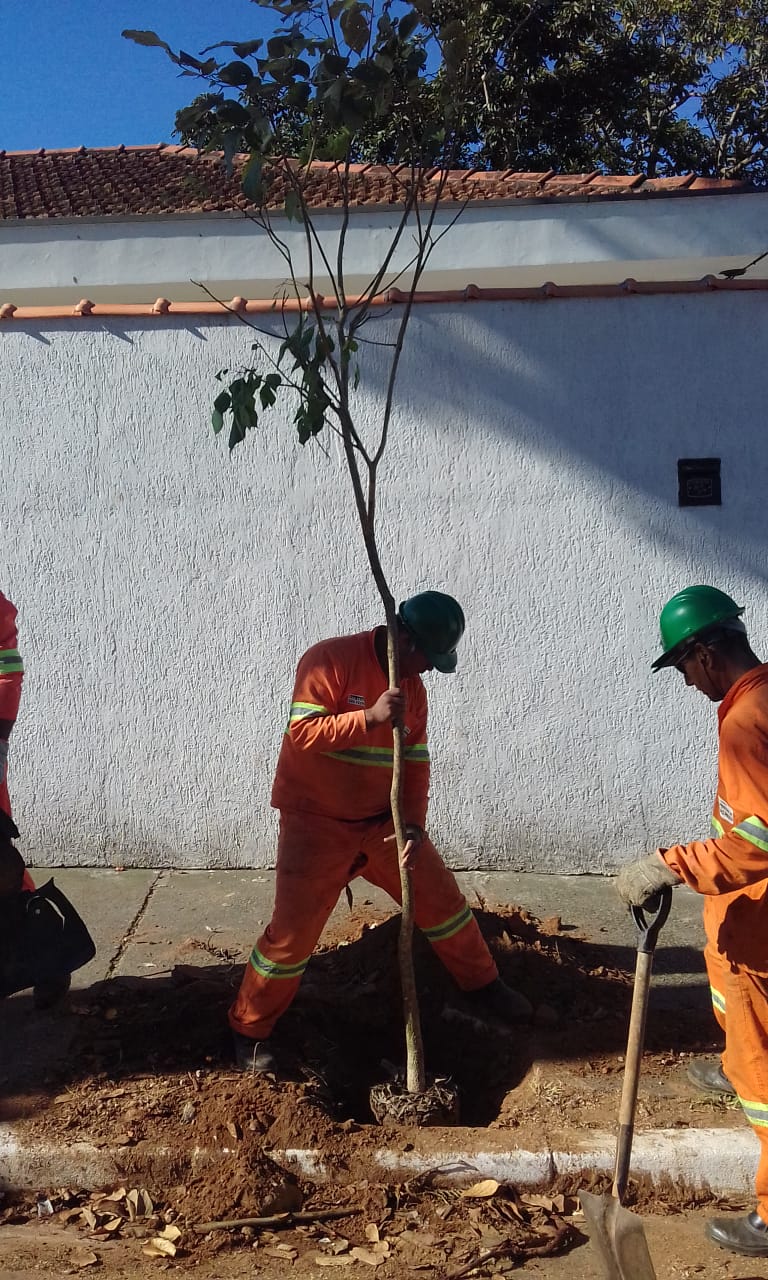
[{"x": 152, "y": 1068}]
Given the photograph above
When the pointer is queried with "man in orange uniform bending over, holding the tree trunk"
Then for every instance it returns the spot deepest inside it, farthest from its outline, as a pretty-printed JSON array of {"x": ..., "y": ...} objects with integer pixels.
[{"x": 332, "y": 788}]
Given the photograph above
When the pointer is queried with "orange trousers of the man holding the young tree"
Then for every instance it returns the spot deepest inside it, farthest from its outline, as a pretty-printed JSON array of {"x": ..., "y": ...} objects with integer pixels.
[{"x": 317, "y": 857}]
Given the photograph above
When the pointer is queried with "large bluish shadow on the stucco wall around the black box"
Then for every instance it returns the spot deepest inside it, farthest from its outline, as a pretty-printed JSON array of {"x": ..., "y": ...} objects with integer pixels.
[{"x": 618, "y": 391}]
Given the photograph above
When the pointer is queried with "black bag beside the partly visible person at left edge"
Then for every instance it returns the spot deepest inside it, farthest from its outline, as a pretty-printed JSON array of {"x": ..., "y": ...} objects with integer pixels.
[{"x": 42, "y": 939}]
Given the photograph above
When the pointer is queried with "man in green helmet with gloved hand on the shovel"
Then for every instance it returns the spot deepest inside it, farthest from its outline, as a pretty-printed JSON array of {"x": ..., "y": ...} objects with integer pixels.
[{"x": 706, "y": 641}]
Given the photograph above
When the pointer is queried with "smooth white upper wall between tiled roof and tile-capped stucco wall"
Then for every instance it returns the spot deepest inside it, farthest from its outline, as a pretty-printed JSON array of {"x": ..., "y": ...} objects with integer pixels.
[{"x": 522, "y": 244}]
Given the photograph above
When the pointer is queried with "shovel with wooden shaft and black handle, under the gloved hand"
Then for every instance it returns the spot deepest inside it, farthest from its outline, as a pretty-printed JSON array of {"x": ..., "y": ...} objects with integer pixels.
[{"x": 619, "y": 1236}]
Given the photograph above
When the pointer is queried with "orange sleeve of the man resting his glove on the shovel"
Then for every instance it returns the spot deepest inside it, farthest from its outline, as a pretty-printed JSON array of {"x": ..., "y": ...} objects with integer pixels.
[{"x": 738, "y": 853}]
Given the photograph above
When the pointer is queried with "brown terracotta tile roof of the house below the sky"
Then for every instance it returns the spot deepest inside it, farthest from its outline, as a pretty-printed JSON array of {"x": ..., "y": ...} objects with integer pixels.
[{"x": 132, "y": 181}]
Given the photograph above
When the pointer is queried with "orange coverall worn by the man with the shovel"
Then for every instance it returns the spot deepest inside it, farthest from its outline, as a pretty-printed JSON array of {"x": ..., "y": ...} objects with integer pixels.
[{"x": 732, "y": 870}]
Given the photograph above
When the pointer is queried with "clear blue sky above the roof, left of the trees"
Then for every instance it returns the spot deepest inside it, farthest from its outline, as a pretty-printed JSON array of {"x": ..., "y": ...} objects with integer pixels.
[{"x": 71, "y": 80}]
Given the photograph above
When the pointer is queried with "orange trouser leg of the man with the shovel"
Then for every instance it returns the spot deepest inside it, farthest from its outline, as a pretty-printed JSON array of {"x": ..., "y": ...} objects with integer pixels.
[{"x": 740, "y": 1004}]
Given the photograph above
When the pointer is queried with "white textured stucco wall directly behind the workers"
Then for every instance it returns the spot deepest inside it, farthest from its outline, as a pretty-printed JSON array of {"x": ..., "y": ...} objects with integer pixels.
[{"x": 166, "y": 591}]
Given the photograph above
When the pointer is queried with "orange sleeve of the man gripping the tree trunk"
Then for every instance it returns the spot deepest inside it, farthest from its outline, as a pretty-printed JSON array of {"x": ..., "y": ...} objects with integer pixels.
[{"x": 314, "y": 724}]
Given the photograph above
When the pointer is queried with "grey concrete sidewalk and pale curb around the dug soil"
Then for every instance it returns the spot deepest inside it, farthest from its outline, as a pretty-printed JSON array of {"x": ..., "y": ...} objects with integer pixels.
[{"x": 147, "y": 922}]
